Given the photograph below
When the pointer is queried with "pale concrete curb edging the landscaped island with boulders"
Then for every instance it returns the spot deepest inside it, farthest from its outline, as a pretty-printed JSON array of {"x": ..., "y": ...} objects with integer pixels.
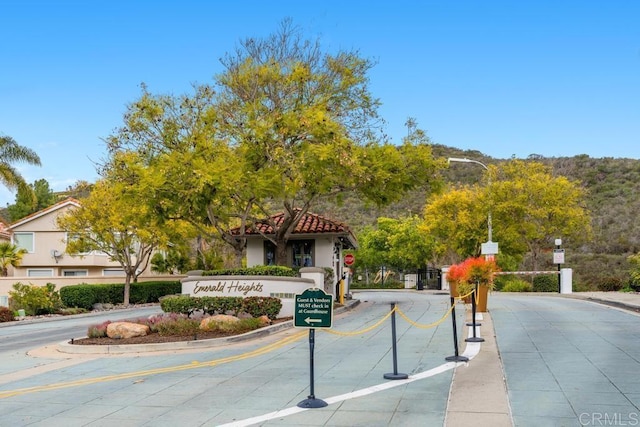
[{"x": 68, "y": 348}]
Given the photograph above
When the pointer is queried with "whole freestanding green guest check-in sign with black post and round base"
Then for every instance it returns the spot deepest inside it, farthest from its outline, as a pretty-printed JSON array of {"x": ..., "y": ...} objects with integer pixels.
[{"x": 313, "y": 309}]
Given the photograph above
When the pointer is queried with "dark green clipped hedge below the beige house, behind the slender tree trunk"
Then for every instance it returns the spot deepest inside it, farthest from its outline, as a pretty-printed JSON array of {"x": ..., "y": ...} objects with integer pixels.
[{"x": 86, "y": 295}]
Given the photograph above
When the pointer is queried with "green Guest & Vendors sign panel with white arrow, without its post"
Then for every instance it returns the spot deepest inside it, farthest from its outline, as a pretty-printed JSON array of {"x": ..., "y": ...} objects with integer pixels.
[{"x": 313, "y": 309}]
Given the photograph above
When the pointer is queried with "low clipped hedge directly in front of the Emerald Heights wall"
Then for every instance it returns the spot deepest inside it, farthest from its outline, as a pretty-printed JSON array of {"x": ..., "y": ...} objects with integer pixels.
[{"x": 254, "y": 306}]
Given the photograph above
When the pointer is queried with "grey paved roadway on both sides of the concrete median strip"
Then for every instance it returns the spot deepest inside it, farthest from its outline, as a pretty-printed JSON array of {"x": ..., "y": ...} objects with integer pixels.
[{"x": 566, "y": 363}]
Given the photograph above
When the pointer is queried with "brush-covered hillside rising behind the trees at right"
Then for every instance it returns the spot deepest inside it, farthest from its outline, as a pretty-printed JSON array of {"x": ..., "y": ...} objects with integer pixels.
[{"x": 612, "y": 186}]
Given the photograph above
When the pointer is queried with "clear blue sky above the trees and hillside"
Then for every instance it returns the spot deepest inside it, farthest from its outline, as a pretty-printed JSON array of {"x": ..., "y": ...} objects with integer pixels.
[{"x": 555, "y": 78}]
